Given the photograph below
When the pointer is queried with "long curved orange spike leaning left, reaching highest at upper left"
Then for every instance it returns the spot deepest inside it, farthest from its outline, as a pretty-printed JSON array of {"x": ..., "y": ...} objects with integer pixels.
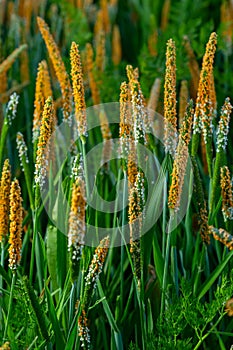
[{"x": 59, "y": 68}]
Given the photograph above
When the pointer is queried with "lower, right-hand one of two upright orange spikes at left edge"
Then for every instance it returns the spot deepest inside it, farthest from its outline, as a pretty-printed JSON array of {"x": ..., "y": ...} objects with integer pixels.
[{"x": 16, "y": 219}]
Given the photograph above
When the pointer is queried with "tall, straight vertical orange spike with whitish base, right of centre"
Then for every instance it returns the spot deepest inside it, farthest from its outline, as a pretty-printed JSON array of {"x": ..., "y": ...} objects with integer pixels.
[{"x": 170, "y": 119}]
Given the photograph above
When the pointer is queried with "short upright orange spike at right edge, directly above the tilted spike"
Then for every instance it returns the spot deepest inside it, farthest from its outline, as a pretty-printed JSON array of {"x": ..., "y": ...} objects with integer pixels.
[{"x": 226, "y": 192}]
